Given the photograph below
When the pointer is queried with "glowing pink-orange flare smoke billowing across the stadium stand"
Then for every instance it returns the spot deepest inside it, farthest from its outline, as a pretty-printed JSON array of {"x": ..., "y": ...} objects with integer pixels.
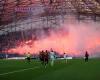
[{"x": 73, "y": 37}]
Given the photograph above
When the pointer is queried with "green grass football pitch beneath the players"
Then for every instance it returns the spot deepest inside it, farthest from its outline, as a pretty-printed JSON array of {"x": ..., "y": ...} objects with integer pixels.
[{"x": 75, "y": 69}]
